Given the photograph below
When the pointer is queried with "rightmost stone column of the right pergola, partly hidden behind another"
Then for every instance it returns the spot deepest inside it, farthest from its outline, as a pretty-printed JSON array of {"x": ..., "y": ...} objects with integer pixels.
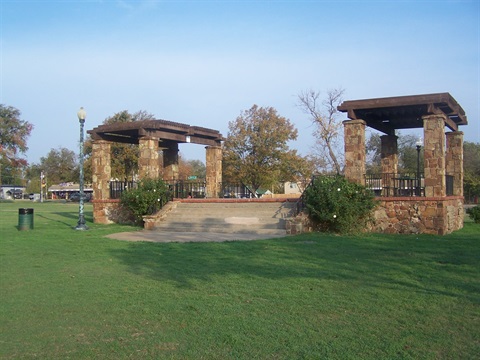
[{"x": 454, "y": 160}]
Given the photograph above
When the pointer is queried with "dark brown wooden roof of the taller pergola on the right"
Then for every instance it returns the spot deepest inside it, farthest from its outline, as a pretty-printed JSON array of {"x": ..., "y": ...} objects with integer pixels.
[{"x": 404, "y": 112}]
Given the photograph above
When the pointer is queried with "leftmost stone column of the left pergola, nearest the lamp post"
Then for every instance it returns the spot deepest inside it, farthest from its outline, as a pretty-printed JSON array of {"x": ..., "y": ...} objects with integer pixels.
[{"x": 101, "y": 169}]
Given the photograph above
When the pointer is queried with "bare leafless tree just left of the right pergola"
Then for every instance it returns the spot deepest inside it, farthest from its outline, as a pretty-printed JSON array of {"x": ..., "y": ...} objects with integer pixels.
[{"x": 327, "y": 127}]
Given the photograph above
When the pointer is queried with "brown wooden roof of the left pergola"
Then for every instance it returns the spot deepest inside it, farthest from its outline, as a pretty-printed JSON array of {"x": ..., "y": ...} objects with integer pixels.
[{"x": 165, "y": 131}]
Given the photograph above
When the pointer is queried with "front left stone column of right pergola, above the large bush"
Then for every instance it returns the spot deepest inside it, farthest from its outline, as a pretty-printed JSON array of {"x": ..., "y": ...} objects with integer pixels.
[{"x": 355, "y": 152}]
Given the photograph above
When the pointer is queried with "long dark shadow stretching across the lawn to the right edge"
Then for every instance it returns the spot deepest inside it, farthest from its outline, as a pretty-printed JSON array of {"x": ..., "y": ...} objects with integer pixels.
[{"x": 447, "y": 266}]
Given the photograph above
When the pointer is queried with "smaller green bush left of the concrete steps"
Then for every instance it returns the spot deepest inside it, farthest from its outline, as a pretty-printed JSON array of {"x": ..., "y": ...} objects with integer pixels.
[{"x": 146, "y": 199}]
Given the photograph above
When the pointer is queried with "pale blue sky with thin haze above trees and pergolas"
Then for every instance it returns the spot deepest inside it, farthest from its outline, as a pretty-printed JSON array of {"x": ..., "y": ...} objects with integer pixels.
[{"x": 202, "y": 62}]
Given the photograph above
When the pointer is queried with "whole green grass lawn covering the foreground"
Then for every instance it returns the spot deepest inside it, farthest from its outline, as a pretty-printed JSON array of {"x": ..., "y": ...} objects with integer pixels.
[{"x": 69, "y": 294}]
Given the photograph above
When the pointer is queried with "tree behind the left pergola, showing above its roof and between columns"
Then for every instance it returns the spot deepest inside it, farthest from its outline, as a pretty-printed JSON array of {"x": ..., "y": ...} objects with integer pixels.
[{"x": 124, "y": 156}]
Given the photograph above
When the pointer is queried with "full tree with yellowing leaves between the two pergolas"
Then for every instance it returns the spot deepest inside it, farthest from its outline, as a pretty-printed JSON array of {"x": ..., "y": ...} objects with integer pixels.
[{"x": 256, "y": 151}]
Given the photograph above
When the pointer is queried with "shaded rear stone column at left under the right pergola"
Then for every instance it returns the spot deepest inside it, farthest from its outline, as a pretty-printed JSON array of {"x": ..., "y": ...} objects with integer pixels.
[{"x": 389, "y": 155}]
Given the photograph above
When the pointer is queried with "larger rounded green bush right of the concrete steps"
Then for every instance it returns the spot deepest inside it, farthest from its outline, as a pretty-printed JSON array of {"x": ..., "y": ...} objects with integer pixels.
[{"x": 338, "y": 205}]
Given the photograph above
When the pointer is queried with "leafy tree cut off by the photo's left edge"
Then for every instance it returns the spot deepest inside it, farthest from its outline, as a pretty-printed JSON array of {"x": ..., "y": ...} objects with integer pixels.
[{"x": 13, "y": 139}]
